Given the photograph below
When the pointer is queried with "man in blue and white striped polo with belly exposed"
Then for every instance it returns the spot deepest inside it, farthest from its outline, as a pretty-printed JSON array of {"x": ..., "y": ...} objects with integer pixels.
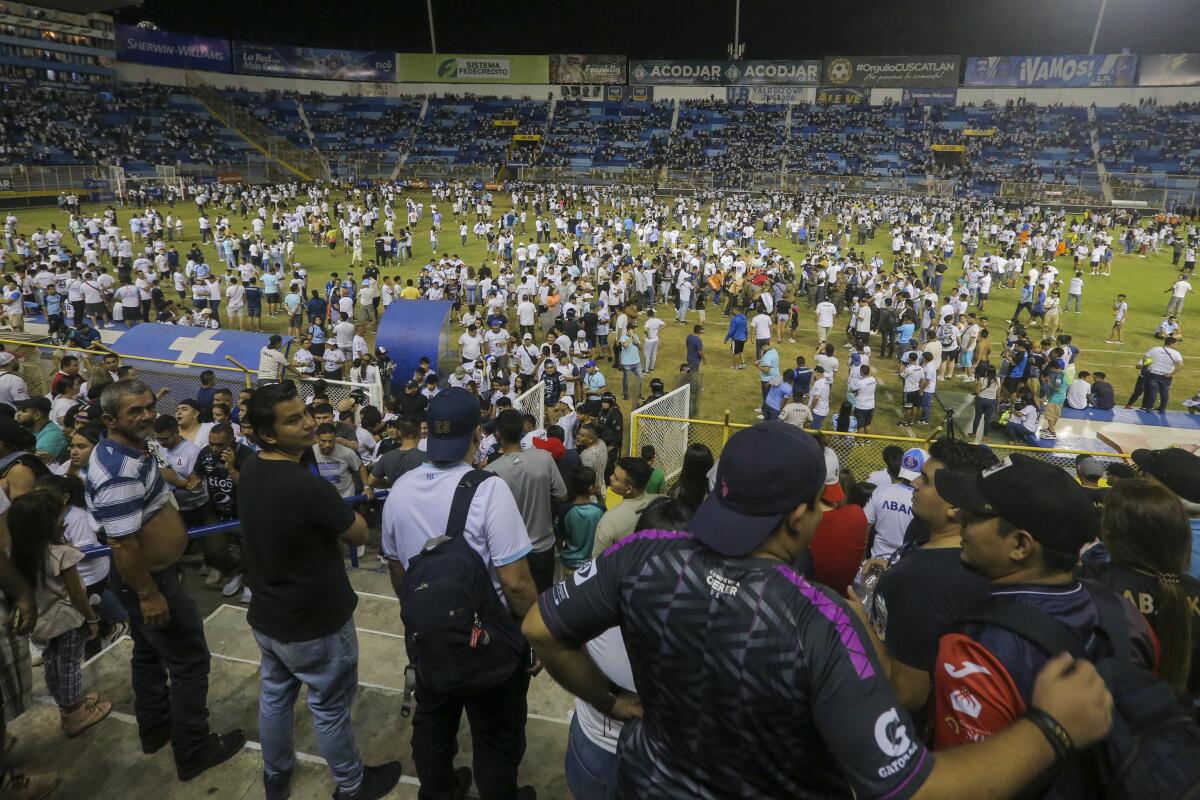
[{"x": 130, "y": 500}]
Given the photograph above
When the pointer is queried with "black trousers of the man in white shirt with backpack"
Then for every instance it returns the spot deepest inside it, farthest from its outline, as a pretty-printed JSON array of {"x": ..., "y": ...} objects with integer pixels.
[{"x": 497, "y": 719}]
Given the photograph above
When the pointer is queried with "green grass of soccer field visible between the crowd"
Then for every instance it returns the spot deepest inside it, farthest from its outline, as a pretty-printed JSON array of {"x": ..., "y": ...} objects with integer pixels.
[{"x": 1145, "y": 281}]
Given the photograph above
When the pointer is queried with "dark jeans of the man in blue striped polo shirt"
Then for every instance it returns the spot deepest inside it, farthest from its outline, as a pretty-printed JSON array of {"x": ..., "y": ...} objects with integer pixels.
[{"x": 170, "y": 667}]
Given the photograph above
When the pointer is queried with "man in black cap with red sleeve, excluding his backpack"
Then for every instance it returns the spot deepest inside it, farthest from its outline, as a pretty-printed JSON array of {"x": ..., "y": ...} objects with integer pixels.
[{"x": 1023, "y": 525}]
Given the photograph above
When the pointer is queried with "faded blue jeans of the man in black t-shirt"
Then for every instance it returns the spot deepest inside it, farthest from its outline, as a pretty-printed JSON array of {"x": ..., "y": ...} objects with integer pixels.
[{"x": 329, "y": 669}]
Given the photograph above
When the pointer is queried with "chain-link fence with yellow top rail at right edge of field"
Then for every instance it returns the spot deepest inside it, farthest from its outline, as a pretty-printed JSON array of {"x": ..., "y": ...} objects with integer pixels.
[{"x": 860, "y": 453}]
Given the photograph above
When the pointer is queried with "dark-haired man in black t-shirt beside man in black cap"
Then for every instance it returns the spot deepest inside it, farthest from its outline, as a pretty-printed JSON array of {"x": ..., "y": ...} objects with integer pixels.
[{"x": 922, "y": 596}]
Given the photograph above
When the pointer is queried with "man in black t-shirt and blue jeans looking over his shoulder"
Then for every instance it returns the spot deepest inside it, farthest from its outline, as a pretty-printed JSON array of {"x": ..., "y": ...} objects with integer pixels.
[{"x": 303, "y": 609}]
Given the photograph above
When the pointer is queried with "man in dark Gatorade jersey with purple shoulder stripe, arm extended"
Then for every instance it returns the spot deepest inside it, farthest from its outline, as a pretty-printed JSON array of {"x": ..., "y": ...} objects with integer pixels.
[{"x": 751, "y": 679}]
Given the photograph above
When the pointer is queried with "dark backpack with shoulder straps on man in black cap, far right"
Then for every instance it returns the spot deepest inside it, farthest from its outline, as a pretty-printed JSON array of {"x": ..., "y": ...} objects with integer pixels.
[{"x": 1154, "y": 749}]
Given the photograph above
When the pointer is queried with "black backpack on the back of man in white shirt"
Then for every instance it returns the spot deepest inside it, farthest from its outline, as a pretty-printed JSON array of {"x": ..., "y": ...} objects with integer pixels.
[{"x": 460, "y": 637}]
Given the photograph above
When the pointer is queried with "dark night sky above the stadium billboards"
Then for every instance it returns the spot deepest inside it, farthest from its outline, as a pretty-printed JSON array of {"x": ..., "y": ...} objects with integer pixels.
[{"x": 697, "y": 28}]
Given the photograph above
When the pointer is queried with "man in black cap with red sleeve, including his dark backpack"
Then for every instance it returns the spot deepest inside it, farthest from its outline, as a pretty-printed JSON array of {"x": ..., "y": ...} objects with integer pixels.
[{"x": 1023, "y": 525}]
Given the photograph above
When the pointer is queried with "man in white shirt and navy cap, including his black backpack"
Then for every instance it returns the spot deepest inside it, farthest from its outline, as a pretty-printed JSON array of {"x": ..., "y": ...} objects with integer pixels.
[{"x": 455, "y": 540}]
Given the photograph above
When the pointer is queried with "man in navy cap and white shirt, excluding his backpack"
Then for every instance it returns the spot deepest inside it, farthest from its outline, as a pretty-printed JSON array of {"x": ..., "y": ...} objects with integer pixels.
[{"x": 417, "y": 510}]
